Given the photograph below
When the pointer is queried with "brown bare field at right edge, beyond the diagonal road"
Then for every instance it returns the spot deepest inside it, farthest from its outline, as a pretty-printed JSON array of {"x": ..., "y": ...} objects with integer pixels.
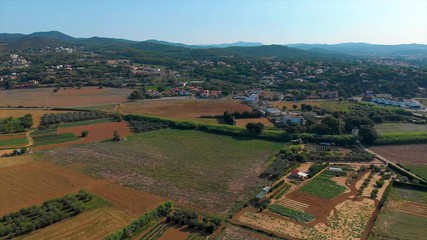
[{"x": 404, "y": 154}]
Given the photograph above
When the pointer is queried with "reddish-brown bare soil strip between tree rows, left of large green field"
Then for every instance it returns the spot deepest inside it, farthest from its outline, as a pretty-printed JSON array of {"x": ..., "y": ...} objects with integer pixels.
[{"x": 97, "y": 132}]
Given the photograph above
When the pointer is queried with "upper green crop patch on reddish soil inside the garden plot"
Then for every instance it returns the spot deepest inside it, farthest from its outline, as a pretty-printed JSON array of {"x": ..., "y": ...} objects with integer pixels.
[{"x": 322, "y": 186}]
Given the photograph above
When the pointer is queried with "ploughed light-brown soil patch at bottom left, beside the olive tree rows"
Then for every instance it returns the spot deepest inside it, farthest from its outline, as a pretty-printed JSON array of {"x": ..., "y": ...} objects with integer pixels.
[{"x": 92, "y": 225}]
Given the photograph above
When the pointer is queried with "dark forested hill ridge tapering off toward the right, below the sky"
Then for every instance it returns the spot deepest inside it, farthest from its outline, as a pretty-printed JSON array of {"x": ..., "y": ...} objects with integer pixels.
[{"x": 133, "y": 49}]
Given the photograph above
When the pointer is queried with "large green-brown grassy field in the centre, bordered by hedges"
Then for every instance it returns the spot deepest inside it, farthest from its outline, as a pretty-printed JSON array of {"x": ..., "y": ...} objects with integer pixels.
[{"x": 207, "y": 170}]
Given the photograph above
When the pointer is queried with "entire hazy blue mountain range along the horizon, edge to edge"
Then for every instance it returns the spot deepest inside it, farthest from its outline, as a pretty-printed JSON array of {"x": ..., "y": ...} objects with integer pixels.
[{"x": 17, "y": 41}]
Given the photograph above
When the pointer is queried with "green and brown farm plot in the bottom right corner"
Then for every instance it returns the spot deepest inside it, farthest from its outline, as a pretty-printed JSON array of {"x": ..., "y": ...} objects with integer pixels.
[{"x": 405, "y": 214}]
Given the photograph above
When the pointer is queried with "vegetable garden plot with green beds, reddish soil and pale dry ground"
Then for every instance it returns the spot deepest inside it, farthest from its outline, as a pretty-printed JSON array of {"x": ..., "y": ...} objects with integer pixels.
[{"x": 324, "y": 207}]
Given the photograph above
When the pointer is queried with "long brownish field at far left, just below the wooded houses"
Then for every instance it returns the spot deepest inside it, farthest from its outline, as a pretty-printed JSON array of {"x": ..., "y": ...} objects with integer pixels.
[{"x": 45, "y": 97}]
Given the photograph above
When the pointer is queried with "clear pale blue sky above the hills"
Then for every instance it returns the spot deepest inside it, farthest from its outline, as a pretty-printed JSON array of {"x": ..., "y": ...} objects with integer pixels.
[{"x": 224, "y": 21}]
